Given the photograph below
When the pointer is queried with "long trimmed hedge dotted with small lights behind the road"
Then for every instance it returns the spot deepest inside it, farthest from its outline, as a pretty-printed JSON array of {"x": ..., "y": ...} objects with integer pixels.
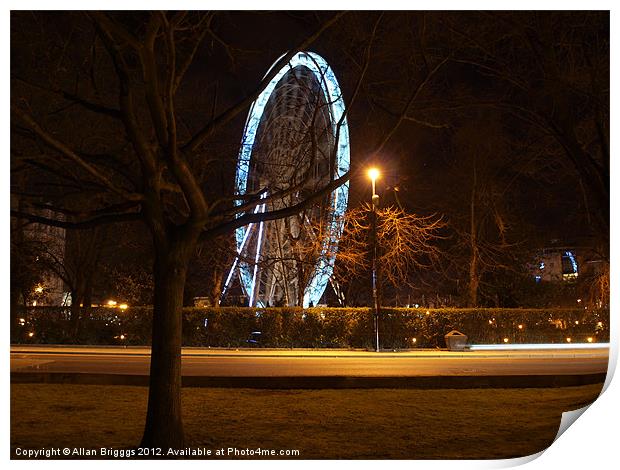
[{"x": 400, "y": 328}]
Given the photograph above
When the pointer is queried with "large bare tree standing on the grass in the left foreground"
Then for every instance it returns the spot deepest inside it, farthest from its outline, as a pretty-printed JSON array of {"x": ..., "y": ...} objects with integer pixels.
[{"x": 138, "y": 158}]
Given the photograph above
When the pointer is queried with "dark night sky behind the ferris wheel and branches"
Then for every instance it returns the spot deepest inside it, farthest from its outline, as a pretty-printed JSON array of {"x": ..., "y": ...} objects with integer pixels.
[{"x": 468, "y": 77}]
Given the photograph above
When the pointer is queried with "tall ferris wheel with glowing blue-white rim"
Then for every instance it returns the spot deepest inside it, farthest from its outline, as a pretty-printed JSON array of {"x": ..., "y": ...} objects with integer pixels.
[{"x": 295, "y": 141}]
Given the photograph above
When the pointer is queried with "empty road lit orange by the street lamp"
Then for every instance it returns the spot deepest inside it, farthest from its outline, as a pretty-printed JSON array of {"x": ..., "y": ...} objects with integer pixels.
[{"x": 296, "y": 363}]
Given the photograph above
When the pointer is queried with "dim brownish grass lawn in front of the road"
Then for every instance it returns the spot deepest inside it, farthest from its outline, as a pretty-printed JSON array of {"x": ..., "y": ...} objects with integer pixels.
[{"x": 329, "y": 424}]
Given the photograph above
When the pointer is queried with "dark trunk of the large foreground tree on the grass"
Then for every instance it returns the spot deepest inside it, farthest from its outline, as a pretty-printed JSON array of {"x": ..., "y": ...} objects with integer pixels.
[{"x": 164, "y": 426}]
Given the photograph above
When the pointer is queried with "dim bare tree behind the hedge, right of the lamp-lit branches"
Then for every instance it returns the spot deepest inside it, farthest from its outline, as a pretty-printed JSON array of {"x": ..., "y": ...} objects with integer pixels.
[{"x": 485, "y": 230}]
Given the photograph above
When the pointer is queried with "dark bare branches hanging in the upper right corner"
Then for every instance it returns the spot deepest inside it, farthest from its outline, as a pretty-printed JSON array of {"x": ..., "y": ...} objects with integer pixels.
[{"x": 548, "y": 70}]
